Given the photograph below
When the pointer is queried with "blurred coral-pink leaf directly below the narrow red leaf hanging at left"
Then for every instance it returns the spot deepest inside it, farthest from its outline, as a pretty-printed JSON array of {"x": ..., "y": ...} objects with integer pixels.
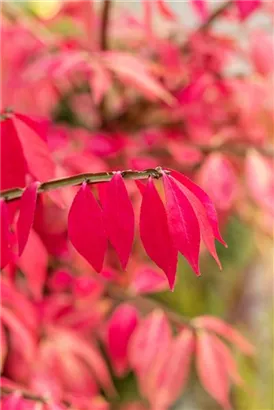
[{"x": 33, "y": 262}]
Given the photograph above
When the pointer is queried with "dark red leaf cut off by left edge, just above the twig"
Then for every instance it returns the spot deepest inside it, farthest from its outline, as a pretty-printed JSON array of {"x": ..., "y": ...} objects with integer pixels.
[{"x": 13, "y": 164}]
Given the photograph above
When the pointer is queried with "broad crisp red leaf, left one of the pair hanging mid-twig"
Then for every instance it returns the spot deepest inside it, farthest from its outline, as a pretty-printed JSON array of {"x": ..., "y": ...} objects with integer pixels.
[{"x": 86, "y": 228}]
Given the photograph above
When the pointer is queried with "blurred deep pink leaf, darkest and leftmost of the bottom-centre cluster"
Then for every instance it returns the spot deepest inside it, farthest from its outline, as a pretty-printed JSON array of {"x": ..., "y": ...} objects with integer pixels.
[{"x": 119, "y": 330}]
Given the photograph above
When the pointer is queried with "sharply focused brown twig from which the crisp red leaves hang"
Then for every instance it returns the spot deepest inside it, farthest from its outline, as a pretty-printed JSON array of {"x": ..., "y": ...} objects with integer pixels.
[{"x": 15, "y": 193}]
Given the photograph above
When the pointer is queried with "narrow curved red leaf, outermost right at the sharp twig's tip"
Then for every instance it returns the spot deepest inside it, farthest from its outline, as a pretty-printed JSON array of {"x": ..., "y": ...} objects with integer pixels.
[{"x": 205, "y": 201}]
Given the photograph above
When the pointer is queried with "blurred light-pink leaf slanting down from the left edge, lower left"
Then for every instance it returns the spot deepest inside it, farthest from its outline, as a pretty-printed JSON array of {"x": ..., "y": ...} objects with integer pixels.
[{"x": 23, "y": 335}]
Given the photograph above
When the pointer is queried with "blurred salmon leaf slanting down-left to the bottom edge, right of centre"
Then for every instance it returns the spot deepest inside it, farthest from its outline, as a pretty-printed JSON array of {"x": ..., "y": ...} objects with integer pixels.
[{"x": 174, "y": 371}]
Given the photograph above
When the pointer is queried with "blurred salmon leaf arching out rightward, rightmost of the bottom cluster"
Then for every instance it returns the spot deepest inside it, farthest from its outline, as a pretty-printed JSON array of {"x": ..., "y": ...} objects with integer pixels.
[{"x": 223, "y": 329}]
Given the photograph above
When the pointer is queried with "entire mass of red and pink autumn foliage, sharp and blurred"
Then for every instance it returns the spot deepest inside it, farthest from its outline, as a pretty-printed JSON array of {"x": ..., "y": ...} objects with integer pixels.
[{"x": 124, "y": 151}]
